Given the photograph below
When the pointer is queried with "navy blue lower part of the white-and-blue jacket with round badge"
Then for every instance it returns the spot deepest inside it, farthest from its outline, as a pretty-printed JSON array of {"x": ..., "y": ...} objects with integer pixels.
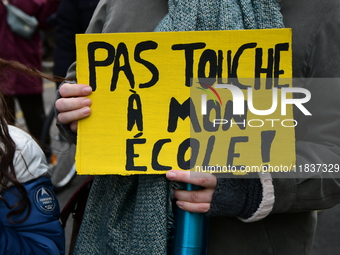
[{"x": 41, "y": 232}]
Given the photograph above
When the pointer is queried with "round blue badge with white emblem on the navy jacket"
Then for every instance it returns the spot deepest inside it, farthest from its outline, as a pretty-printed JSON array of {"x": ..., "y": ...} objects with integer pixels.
[{"x": 45, "y": 200}]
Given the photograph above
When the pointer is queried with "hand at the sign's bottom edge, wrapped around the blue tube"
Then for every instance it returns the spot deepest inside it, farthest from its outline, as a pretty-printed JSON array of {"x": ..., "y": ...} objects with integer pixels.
[{"x": 197, "y": 200}]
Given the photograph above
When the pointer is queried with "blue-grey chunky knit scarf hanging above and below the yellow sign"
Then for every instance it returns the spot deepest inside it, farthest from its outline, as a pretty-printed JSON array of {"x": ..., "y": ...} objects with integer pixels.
[{"x": 132, "y": 214}]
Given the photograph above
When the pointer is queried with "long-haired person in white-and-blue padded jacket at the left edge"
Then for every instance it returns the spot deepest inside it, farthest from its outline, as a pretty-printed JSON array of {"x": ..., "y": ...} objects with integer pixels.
[{"x": 29, "y": 210}]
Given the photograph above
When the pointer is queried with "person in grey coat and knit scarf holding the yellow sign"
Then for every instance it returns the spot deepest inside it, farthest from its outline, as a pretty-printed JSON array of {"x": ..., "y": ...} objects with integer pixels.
[{"x": 271, "y": 213}]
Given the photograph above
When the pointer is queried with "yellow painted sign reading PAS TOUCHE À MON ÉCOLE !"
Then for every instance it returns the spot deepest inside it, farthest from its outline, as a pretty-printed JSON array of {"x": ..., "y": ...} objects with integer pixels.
[{"x": 151, "y": 113}]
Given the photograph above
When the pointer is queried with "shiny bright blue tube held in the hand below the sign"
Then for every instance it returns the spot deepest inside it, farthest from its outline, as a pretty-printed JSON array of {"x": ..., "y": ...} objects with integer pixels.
[{"x": 190, "y": 231}]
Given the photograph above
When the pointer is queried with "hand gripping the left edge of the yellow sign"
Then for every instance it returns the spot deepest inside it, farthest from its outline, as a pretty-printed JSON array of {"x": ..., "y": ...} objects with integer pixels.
[{"x": 74, "y": 105}]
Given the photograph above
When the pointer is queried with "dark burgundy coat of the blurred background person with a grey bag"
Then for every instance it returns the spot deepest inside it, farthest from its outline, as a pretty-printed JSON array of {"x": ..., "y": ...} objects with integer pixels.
[{"x": 28, "y": 52}]
